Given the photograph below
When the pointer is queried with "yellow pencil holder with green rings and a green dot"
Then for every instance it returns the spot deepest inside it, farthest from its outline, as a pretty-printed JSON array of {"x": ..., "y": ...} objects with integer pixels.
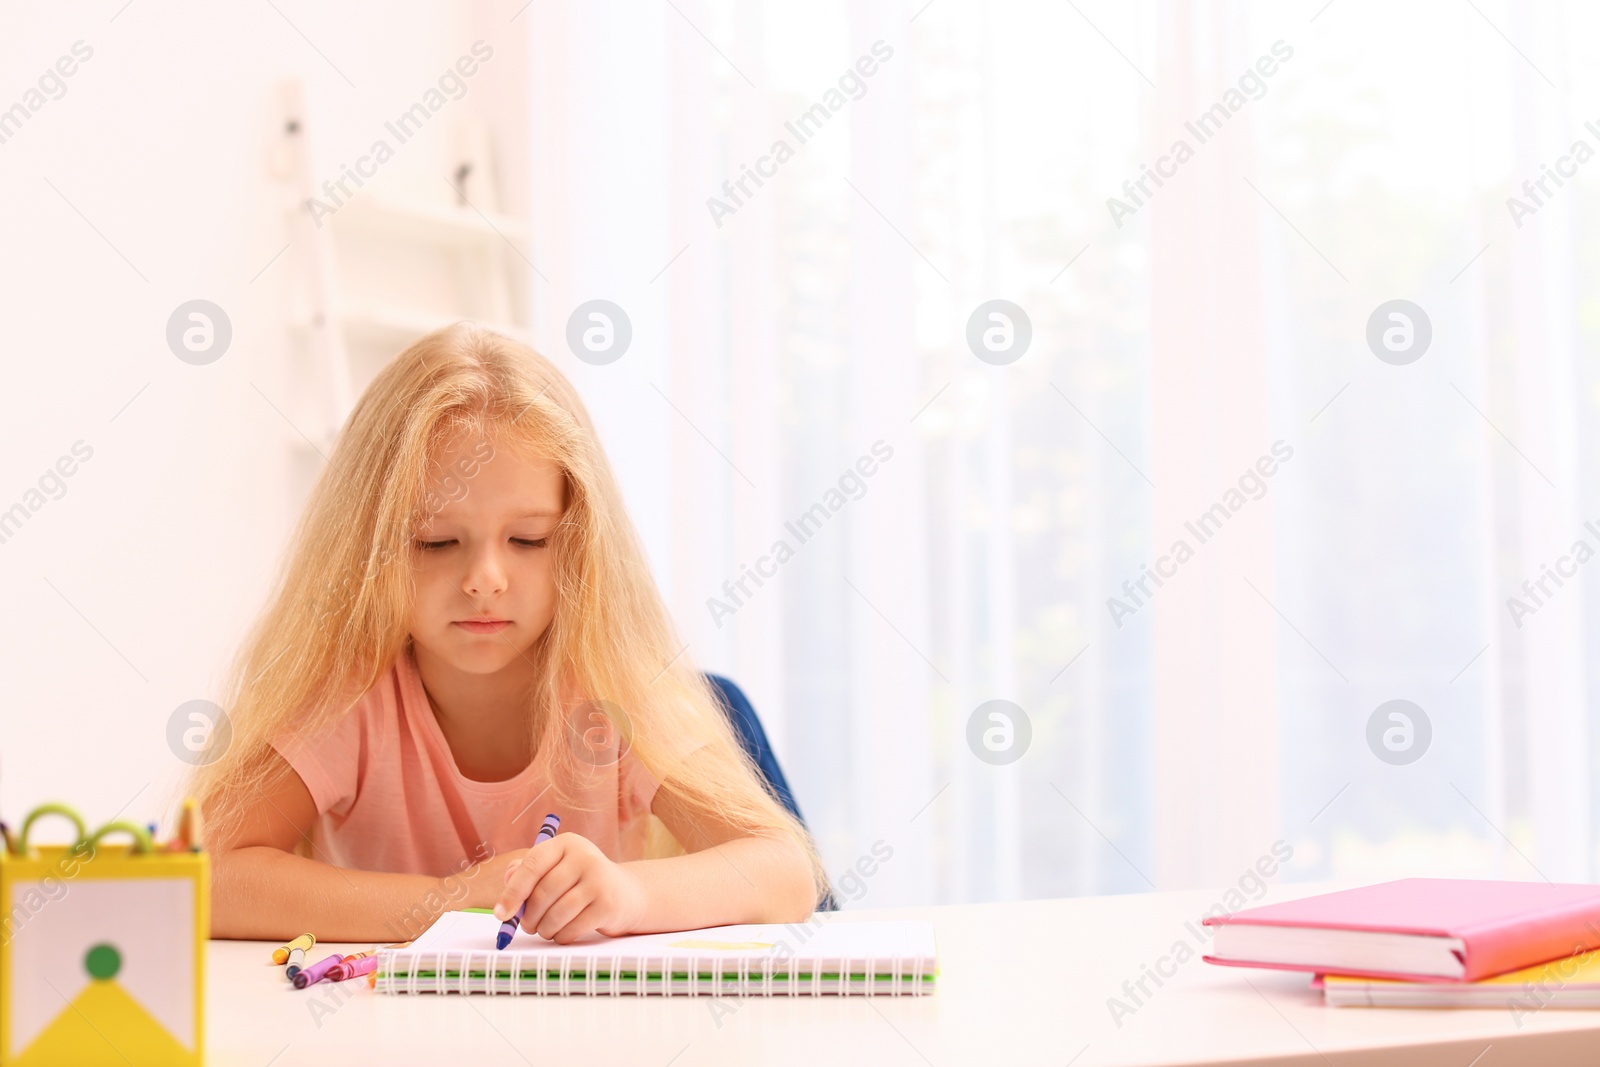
[{"x": 102, "y": 951}]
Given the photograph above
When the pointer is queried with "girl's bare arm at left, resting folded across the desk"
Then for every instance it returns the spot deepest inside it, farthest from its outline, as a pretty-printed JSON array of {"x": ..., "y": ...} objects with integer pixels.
[{"x": 262, "y": 890}]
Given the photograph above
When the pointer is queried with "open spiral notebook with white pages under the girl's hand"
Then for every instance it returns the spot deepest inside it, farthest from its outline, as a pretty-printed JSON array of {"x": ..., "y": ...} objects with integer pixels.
[{"x": 836, "y": 957}]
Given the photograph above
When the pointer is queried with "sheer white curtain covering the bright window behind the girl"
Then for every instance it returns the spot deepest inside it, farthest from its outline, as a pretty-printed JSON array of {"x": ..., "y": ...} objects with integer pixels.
[{"x": 878, "y": 532}]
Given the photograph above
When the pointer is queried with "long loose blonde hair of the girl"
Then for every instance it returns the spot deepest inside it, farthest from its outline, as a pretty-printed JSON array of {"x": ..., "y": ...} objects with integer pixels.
[{"x": 337, "y": 620}]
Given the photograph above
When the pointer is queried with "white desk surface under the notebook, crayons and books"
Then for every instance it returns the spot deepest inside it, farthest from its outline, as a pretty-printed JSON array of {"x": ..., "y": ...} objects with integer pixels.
[{"x": 1023, "y": 983}]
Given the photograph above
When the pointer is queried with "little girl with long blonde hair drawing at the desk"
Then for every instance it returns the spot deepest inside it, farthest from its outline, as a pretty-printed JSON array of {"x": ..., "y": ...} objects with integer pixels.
[{"x": 466, "y": 637}]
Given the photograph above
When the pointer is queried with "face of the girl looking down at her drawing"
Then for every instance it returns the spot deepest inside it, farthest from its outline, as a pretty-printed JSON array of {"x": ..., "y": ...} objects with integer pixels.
[{"x": 486, "y": 586}]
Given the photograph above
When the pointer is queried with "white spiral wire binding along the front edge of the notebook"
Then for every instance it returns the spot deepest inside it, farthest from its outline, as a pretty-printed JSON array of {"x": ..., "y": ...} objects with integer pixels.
[{"x": 767, "y": 983}]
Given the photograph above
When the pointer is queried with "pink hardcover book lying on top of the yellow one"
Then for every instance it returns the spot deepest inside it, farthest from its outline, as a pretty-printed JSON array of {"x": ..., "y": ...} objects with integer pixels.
[{"x": 1415, "y": 929}]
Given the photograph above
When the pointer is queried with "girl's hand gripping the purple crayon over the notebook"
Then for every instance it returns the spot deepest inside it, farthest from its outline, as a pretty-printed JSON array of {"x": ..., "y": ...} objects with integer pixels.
[{"x": 572, "y": 890}]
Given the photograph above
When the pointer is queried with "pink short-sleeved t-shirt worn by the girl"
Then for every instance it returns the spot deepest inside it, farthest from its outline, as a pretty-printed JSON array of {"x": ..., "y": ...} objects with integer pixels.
[{"x": 390, "y": 796}]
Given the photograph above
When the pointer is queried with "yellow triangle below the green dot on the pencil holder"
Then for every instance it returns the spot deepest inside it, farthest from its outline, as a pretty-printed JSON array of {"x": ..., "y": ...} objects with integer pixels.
[{"x": 105, "y": 1026}]
